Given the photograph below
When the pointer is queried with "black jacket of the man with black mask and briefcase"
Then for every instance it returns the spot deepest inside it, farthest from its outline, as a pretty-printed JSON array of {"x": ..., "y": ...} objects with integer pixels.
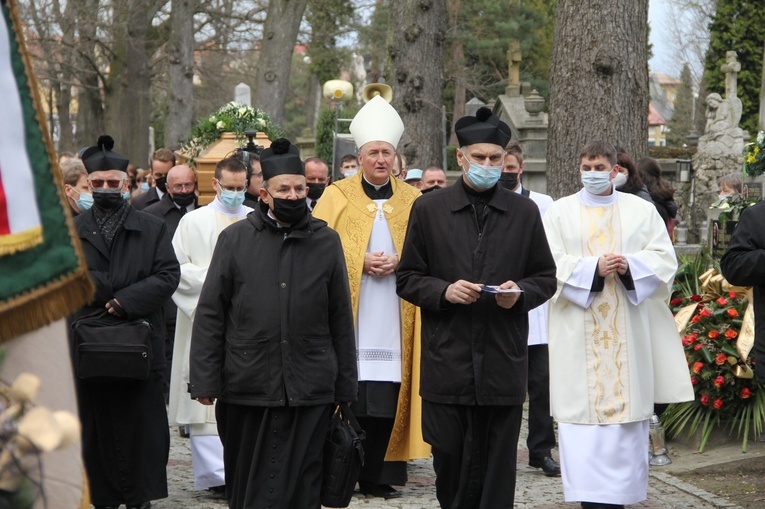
[{"x": 274, "y": 318}]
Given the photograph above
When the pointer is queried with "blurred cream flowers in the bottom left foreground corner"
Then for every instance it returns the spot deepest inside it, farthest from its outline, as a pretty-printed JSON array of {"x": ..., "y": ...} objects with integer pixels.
[{"x": 26, "y": 431}]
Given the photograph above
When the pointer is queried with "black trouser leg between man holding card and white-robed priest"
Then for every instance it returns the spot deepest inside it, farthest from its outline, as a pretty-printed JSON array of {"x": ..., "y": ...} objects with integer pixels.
[{"x": 541, "y": 437}]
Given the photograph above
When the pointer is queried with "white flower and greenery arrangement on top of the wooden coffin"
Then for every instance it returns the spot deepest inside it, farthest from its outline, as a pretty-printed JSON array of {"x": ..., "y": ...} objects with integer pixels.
[{"x": 232, "y": 117}]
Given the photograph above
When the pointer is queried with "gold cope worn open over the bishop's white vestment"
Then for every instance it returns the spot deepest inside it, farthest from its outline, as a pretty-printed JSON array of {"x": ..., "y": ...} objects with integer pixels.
[{"x": 351, "y": 213}]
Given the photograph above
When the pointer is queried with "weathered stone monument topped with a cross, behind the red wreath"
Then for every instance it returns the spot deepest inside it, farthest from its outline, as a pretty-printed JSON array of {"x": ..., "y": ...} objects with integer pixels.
[{"x": 720, "y": 149}]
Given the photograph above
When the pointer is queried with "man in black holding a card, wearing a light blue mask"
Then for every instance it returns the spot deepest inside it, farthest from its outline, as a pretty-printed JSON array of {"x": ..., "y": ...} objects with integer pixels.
[{"x": 474, "y": 366}]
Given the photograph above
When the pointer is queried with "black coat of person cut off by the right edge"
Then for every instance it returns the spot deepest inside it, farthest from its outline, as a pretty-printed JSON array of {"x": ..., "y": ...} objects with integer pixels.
[{"x": 743, "y": 264}]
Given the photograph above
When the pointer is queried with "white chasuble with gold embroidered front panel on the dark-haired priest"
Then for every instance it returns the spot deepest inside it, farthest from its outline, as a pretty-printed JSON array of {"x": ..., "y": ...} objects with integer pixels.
[{"x": 614, "y": 352}]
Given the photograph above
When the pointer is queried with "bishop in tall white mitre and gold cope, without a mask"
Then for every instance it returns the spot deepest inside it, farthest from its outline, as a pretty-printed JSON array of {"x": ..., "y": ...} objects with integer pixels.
[{"x": 370, "y": 211}]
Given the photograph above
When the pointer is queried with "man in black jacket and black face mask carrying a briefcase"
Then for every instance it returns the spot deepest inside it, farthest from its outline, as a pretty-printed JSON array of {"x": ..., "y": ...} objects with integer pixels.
[{"x": 273, "y": 343}]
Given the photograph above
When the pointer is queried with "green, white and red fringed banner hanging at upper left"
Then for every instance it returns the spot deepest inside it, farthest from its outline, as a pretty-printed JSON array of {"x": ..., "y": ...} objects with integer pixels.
[{"x": 43, "y": 276}]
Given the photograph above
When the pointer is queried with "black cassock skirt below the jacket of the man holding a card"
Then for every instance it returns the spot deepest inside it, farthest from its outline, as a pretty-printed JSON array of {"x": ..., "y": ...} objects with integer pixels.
[{"x": 474, "y": 453}]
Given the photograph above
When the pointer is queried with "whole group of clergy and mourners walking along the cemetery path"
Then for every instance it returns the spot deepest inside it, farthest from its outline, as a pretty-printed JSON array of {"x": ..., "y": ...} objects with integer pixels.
[{"x": 433, "y": 308}]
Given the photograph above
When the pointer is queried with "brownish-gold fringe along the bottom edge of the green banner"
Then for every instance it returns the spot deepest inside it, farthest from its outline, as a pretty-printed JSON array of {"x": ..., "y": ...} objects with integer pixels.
[{"x": 44, "y": 305}]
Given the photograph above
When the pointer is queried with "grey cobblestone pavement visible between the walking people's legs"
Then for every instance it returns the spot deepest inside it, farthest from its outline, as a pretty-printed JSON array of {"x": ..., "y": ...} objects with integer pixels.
[{"x": 533, "y": 489}]
